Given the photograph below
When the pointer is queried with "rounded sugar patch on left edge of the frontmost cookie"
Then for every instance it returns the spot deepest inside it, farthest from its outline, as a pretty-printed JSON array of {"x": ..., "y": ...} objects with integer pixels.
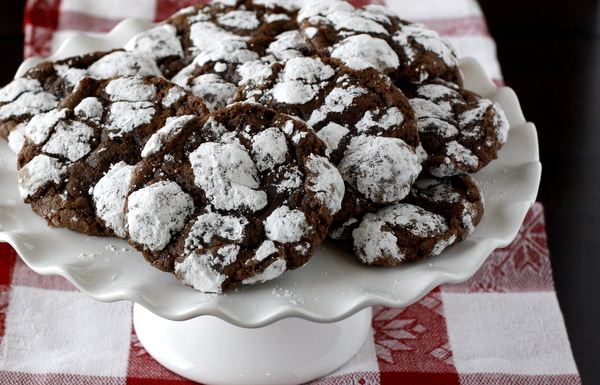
[{"x": 155, "y": 212}]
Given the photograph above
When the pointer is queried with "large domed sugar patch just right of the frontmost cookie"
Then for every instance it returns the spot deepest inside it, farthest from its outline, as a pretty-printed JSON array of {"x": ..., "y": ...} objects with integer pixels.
[{"x": 383, "y": 169}]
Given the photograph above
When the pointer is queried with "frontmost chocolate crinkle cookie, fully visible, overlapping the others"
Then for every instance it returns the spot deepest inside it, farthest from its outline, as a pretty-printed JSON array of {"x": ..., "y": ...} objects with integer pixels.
[{"x": 235, "y": 197}]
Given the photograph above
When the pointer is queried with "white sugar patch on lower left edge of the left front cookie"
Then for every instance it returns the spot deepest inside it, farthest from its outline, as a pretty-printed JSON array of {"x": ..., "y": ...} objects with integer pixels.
[{"x": 40, "y": 171}]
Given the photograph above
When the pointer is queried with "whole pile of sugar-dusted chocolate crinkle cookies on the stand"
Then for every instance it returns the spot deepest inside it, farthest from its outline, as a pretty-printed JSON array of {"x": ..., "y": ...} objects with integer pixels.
[{"x": 227, "y": 142}]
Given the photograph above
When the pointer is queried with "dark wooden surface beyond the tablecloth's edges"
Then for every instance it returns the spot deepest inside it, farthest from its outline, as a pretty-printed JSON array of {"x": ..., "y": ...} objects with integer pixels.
[{"x": 550, "y": 55}]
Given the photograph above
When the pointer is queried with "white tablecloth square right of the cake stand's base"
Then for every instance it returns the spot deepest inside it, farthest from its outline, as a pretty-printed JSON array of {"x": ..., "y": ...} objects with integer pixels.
[{"x": 517, "y": 333}]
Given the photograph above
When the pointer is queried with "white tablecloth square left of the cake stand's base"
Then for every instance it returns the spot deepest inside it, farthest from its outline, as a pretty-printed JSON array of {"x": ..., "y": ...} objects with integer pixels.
[{"x": 49, "y": 331}]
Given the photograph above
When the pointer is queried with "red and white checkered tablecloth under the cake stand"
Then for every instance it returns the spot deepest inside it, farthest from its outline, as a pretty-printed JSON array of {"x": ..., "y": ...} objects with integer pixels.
[{"x": 503, "y": 326}]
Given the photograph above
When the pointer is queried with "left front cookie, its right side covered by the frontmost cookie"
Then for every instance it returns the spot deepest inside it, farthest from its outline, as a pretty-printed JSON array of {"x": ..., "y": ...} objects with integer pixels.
[{"x": 74, "y": 165}]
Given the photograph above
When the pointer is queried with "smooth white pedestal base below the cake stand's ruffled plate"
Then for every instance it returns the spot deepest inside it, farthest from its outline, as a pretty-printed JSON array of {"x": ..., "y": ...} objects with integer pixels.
[{"x": 209, "y": 350}]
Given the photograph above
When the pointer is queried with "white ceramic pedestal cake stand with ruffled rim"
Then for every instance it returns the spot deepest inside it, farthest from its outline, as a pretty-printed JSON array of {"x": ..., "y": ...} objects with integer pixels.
[{"x": 297, "y": 327}]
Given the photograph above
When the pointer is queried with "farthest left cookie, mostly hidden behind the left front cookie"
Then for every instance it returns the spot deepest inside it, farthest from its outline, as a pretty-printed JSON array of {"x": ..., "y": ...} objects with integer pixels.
[{"x": 42, "y": 87}]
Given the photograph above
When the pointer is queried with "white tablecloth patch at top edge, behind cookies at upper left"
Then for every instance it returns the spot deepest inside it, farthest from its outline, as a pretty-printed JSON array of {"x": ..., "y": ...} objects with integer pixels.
[{"x": 111, "y": 9}]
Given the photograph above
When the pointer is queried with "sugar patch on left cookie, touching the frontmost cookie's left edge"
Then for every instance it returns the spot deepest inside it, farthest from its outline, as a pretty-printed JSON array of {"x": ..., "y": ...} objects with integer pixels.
[{"x": 109, "y": 196}]
